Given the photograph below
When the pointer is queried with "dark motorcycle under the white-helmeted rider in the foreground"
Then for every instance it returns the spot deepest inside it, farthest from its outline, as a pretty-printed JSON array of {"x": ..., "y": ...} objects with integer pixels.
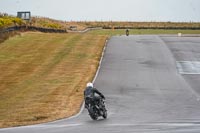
[{"x": 96, "y": 108}]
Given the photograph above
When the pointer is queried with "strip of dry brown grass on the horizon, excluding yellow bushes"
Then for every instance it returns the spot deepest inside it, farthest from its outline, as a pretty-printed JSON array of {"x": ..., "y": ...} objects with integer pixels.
[{"x": 39, "y": 21}]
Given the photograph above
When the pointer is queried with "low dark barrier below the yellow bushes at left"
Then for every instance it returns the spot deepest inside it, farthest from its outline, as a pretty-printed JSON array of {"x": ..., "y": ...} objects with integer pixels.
[{"x": 32, "y": 28}]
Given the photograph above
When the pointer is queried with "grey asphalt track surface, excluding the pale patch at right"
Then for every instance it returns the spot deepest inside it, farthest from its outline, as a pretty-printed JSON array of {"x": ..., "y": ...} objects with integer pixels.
[{"x": 145, "y": 93}]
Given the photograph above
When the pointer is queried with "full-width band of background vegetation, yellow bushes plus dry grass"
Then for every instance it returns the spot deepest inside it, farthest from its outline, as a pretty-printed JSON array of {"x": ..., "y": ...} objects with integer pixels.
[{"x": 6, "y": 20}]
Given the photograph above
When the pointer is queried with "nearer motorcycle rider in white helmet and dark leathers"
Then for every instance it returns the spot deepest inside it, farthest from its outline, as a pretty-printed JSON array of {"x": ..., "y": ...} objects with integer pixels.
[{"x": 90, "y": 91}]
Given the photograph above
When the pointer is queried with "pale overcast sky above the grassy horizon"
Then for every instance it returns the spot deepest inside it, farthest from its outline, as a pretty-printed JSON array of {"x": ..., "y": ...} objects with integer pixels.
[{"x": 108, "y": 10}]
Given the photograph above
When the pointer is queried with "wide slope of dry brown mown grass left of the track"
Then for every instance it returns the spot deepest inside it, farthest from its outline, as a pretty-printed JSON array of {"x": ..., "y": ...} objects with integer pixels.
[{"x": 42, "y": 76}]
